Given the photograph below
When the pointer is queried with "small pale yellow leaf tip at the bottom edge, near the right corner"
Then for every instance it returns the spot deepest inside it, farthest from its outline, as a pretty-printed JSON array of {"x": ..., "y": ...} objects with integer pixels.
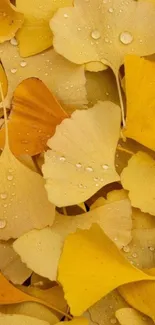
[{"x": 128, "y": 316}]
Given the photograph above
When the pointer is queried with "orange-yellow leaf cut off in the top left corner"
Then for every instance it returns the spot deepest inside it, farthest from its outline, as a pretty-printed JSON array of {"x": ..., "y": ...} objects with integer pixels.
[{"x": 10, "y": 20}]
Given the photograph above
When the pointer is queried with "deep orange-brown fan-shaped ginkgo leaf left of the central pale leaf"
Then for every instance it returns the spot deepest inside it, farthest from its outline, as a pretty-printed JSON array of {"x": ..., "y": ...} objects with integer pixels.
[{"x": 34, "y": 116}]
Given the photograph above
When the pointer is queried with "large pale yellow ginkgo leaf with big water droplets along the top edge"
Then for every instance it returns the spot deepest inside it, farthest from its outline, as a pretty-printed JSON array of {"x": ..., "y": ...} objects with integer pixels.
[{"x": 104, "y": 31}]
